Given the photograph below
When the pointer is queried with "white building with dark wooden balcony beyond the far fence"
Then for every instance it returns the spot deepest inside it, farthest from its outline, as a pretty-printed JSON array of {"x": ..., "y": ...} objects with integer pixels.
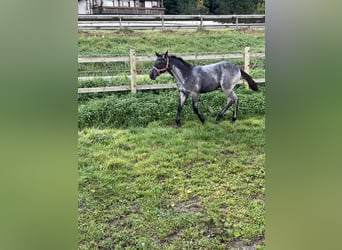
[{"x": 121, "y": 7}]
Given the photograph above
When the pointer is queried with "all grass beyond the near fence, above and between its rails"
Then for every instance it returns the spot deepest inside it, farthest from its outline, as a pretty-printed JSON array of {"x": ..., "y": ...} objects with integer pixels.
[{"x": 114, "y": 43}]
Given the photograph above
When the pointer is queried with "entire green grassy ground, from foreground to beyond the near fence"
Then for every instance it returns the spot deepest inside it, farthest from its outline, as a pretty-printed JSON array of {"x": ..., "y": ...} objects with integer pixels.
[{"x": 145, "y": 184}]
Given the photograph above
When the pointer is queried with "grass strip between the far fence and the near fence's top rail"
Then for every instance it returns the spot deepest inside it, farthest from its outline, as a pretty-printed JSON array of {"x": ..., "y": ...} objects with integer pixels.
[{"x": 96, "y": 43}]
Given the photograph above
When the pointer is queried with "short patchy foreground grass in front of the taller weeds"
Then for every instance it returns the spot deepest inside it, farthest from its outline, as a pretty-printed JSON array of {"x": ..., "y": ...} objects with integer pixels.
[{"x": 158, "y": 187}]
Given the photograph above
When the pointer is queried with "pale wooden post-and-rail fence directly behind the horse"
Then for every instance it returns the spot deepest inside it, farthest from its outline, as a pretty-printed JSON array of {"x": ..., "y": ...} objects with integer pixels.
[{"x": 133, "y": 59}]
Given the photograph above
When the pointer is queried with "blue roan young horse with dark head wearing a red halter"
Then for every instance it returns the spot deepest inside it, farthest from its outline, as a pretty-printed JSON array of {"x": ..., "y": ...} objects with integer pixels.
[{"x": 194, "y": 80}]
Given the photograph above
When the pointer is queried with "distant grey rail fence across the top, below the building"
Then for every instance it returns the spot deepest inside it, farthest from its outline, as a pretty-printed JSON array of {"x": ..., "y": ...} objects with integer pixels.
[{"x": 160, "y": 22}]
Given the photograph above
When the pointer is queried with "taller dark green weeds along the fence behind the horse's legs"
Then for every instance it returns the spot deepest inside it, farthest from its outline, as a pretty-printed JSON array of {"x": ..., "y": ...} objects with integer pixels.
[{"x": 117, "y": 110}]
